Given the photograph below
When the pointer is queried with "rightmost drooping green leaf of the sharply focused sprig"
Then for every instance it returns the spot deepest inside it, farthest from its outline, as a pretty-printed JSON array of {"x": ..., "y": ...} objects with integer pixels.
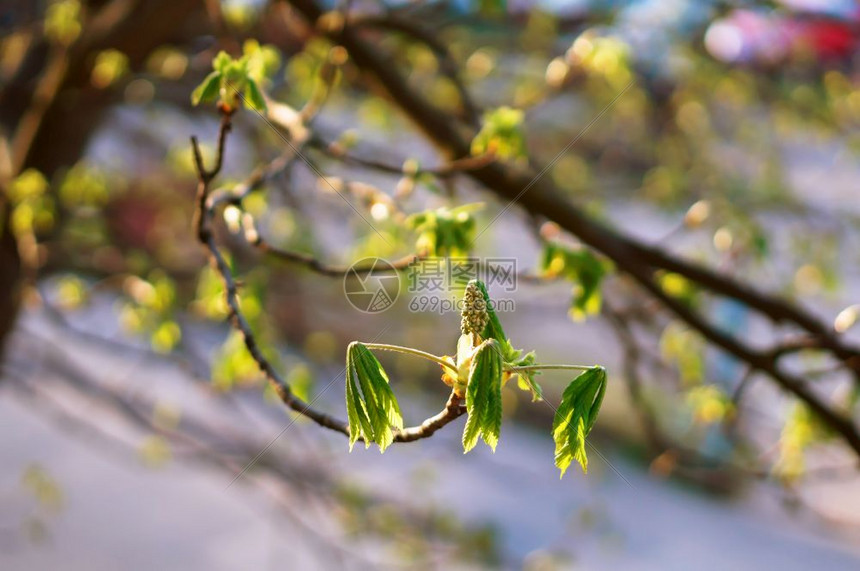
[{"x": 575, "y": 417}]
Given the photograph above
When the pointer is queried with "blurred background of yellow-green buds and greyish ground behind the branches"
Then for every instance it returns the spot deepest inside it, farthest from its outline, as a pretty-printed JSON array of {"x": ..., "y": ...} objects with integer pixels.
[{"x": 138, "y": 432}]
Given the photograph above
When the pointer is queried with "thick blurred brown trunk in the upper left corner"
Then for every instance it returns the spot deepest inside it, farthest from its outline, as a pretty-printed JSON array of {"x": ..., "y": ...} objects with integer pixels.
[{"x": 48, "y": 109}]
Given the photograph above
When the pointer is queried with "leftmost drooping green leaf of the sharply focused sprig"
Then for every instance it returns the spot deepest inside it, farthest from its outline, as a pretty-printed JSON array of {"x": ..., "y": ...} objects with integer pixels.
[{"x": 371, "y": 406}]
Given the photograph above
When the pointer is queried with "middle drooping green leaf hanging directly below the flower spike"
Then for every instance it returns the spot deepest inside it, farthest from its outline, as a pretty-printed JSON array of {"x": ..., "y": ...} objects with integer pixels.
[{"x": 484, "y": 396}]
